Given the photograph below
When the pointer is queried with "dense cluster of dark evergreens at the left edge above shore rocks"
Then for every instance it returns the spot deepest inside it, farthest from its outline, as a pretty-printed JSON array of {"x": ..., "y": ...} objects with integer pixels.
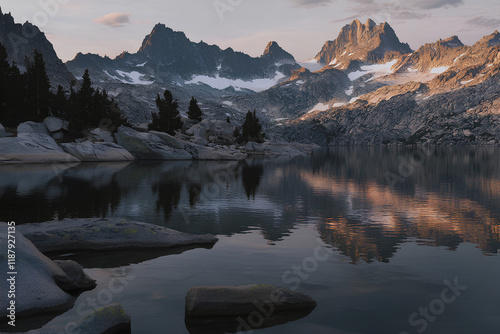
[{"x": 28, "y": 97}]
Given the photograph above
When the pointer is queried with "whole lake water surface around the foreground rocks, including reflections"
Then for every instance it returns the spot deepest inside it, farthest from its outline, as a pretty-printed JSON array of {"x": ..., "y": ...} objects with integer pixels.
[{"x": 379, "y": 238}]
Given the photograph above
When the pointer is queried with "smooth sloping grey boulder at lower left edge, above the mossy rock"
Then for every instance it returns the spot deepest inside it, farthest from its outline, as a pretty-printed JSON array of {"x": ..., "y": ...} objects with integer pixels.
[{"x": 41, "y": 286}]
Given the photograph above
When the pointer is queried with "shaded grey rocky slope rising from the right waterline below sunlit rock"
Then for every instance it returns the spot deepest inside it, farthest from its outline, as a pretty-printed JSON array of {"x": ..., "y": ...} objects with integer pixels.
[{"x": 467, "y": 116}]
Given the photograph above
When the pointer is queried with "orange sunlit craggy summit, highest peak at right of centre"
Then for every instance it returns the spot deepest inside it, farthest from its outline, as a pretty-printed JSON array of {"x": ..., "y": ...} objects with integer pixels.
[{"x": 365, "y": 42}]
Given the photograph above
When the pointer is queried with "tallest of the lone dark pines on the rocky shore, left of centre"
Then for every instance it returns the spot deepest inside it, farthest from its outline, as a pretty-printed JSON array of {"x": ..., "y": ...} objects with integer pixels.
[{"x": 168, "y": 118}]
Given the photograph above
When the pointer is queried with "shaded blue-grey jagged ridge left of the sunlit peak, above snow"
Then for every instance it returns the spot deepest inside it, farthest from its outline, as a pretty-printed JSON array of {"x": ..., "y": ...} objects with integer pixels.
[{"x": 169, "y": 56}]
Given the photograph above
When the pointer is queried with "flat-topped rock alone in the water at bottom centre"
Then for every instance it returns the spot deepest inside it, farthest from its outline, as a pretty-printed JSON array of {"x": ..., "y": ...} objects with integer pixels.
[{"x": 243, "y": 300}]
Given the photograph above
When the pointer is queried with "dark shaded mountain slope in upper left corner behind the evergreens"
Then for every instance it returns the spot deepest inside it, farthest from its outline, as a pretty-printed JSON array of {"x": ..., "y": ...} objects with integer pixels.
[{"x": 21, "y": 41}]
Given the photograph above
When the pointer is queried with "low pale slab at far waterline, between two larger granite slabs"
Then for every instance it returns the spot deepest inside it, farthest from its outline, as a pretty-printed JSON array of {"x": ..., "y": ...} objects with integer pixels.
[{"x": 88, "y": 151}]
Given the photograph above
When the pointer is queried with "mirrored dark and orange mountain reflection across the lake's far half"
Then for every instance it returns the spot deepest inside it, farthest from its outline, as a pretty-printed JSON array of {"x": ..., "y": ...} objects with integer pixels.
[{"x": 445, "y": 198}]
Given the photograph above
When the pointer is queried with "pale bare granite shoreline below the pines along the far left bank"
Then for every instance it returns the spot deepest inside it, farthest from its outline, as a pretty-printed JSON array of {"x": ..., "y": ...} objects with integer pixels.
[{"x": 38, "y": 143}]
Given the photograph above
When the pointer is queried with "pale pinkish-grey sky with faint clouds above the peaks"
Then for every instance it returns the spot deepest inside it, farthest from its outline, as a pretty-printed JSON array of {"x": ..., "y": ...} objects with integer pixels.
[{"x": 301, "y": 27}]
